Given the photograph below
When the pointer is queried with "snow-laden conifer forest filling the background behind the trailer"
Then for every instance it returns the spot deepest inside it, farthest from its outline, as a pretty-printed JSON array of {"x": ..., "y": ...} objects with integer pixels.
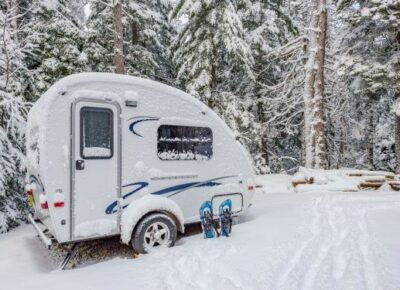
[{"x": 312, "y": 83}]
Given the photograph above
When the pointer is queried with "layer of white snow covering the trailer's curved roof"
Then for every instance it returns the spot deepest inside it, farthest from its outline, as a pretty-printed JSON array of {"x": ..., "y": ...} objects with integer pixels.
[{"x": 124, "y": 88}]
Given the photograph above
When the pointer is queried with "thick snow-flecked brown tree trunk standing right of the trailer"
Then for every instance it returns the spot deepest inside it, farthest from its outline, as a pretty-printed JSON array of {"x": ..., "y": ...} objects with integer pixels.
[{"x": 314, "y": 108}]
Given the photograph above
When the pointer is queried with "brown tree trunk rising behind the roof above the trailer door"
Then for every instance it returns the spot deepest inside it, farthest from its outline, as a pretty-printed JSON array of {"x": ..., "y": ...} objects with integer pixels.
[{"x": 118, "y": 38}]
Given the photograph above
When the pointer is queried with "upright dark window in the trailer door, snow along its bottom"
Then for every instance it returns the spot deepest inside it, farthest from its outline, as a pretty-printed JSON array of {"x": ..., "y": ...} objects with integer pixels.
[{"x": 96, "y": 133}]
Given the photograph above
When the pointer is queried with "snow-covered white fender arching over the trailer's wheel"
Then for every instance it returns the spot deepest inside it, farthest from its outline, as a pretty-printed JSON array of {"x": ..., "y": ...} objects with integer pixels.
[{"x": 138, "y": 208}]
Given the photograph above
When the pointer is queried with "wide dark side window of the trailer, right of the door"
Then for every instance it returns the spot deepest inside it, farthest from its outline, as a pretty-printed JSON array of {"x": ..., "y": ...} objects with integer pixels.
[{"x": 184, "y": 143}]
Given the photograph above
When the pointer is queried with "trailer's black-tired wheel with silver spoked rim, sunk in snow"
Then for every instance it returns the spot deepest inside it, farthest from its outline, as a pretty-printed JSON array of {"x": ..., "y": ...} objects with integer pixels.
[{"x": 155, "y": 230}]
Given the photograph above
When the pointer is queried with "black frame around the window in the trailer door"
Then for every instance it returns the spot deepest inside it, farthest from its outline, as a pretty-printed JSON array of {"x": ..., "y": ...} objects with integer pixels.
[{"x": 111, "y": 131}]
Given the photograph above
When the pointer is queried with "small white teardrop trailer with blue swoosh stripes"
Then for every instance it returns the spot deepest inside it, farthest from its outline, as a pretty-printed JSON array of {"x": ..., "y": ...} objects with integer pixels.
[{"x": 119, "y": 155}]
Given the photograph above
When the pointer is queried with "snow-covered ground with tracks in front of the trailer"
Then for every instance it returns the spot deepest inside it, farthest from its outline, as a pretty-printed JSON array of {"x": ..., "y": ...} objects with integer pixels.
[{"x": 287, "y": 240}]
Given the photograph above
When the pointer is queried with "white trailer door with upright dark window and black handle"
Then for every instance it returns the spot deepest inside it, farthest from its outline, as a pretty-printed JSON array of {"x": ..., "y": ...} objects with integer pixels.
[{"x": 95, "y": 168}]
